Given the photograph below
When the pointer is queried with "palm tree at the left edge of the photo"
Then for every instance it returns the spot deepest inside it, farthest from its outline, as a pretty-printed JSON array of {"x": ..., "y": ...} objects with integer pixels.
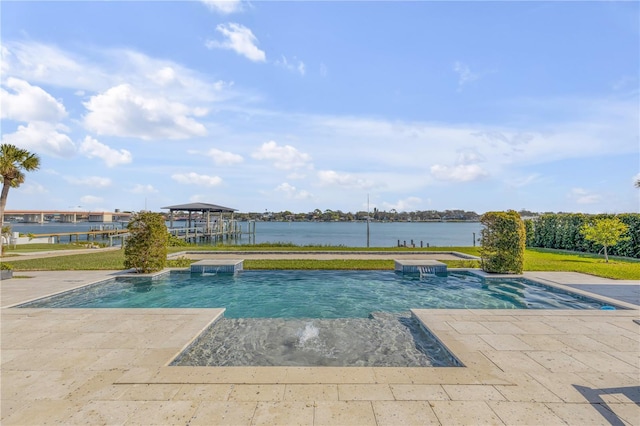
[{"x": 13, "y": 161}]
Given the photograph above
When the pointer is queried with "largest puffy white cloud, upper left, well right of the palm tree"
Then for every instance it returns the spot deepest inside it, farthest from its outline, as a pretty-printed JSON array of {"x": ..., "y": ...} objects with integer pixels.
[{"x": 122, "y": 111}]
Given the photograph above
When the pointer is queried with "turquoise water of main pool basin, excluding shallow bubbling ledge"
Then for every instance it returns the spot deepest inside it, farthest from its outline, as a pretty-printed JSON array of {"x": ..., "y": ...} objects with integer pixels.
[{"x": 316, "y": 294}]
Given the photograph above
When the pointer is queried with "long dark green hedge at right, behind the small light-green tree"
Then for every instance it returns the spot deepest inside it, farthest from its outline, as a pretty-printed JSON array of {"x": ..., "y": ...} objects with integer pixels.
[{"x": 562, "y": 231}]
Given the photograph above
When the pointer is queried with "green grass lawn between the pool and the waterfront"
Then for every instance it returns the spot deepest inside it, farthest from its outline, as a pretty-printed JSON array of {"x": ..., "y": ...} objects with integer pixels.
[{"x": 535, "y": 260}]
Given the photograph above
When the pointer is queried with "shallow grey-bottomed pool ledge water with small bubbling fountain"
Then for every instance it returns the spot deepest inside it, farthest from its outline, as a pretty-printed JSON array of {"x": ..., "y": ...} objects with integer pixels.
[{"x": 382, "y": 340}]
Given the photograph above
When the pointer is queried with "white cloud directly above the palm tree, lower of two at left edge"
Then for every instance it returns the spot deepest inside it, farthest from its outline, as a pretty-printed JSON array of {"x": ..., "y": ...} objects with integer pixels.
[{"x": 42, "y": 137}]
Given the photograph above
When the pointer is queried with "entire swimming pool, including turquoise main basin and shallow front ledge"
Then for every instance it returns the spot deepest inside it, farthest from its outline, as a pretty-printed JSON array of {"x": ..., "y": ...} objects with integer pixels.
[{"x": 316, "y": 318}]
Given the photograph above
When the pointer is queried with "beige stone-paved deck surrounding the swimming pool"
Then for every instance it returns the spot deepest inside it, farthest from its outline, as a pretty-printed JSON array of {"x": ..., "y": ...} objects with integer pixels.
[{"x": 110, "y": 366}]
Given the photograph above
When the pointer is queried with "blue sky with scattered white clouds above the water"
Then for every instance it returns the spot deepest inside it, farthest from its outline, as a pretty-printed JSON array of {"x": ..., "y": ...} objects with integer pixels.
[{"x": 274, "y": 106}]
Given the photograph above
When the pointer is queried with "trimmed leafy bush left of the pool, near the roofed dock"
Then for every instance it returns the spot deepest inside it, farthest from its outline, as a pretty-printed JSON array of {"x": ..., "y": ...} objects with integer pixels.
[{"x": 146, "y": 247}]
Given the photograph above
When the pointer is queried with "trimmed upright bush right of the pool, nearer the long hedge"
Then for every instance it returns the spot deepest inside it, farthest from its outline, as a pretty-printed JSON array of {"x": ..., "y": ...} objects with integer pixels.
[{"x": 503, "y": 242}]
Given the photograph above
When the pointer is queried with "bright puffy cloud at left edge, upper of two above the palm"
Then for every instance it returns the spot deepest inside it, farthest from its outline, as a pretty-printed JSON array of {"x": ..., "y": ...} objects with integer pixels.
[{"x": 29, "y": 103}]
